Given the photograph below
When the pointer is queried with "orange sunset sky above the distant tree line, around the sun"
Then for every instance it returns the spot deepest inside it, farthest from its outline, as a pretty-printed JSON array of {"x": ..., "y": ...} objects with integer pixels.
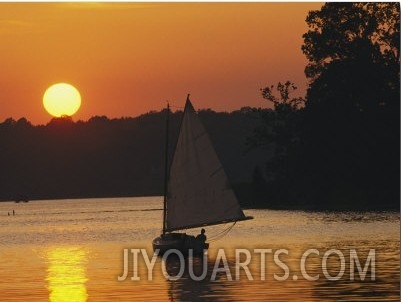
[{"x": 129, "y": 58}]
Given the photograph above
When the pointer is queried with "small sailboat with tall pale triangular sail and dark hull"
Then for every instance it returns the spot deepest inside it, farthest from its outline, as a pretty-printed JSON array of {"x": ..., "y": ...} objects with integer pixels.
[{"x": 197, "y": 192}]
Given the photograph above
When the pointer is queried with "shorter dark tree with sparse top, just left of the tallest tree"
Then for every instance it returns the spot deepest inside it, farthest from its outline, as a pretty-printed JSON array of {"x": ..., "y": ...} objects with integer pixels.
[{"x": 279, "y": 135}]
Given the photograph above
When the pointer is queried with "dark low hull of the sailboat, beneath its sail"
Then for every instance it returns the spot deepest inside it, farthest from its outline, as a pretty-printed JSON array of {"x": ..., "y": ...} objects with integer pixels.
[{"x": 179, "y": 241}]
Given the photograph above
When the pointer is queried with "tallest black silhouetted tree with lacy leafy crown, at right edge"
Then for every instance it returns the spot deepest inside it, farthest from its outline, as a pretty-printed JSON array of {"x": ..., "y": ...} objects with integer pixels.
[{"x": 350, "y": 126}]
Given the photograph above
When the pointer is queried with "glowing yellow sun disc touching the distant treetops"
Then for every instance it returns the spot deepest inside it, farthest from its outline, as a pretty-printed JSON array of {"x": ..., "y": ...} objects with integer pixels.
[{"x": 61, "y": 99}]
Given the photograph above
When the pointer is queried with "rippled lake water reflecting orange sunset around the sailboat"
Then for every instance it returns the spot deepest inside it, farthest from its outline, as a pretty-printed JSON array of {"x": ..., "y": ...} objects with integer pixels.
[{"x": 73, "y": 250}]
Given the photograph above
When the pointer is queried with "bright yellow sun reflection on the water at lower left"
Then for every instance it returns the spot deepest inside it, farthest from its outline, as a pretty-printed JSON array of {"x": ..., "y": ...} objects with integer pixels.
[{"x": 66, "y": 274}]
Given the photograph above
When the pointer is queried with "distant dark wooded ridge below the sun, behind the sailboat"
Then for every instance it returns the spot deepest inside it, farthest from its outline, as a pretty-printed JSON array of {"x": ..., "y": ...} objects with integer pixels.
[{"x": 111, "y": 157}]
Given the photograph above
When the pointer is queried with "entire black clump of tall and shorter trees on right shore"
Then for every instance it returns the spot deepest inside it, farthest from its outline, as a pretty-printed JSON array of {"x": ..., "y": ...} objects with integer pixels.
[{"x": 339, "y": 148}]
